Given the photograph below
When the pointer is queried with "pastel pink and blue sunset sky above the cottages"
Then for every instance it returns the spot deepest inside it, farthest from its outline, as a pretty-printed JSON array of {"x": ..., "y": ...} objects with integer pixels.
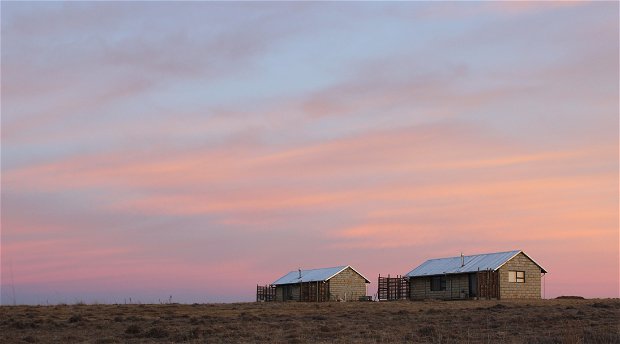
[{"x": 190, "y": 151}]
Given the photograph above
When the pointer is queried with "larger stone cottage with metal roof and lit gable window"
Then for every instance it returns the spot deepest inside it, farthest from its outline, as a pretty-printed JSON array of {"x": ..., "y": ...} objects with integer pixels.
[{"x": 501, "y": 275}]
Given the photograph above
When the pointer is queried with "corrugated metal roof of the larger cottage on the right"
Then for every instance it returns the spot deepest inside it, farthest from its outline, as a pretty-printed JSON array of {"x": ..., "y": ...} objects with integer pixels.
[{"x": 473, "y": 263}]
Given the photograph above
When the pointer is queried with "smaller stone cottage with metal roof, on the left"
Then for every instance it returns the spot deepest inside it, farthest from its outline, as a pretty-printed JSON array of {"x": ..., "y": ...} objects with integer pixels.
[{"x": 340, "y": 283}]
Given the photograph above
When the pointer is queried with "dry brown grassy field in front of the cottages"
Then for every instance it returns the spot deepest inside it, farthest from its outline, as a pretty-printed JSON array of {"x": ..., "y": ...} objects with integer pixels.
[{"x": 541, "y": 321}]
